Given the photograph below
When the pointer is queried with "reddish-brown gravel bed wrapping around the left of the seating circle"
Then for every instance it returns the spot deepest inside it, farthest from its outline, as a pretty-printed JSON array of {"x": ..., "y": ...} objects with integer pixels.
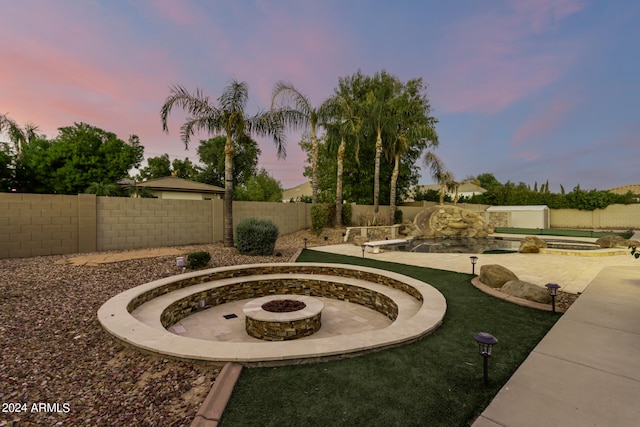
[{"x": 58, "y": 367}]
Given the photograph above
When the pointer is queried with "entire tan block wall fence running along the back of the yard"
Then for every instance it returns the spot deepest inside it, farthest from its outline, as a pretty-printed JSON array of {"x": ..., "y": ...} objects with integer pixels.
[{"x": 51, "y": 224}]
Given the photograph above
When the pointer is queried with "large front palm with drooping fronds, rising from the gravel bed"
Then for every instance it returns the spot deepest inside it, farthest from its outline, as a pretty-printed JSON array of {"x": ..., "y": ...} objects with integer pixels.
[{"x": 228, "y": 118}]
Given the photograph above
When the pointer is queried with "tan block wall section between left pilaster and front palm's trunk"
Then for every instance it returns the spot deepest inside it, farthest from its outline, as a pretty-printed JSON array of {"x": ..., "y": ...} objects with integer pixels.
[{"x": 133, "y": 223}]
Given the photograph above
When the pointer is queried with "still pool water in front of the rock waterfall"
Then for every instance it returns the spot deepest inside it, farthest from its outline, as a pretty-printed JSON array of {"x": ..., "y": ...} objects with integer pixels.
[{"x": 474, "y": 245}]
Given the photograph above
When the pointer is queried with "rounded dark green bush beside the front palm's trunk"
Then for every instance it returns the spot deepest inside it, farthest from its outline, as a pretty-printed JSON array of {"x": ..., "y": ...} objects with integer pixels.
[{"x": 256, "y": 236}]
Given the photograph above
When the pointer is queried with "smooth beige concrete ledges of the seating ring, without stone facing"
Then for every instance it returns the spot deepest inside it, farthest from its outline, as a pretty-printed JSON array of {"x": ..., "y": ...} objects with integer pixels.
[{"x": 151, "y": 336}]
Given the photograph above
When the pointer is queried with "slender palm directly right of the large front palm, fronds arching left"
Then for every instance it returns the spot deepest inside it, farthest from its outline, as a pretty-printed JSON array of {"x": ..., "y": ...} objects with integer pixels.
[{"x": 296, "y": 110}]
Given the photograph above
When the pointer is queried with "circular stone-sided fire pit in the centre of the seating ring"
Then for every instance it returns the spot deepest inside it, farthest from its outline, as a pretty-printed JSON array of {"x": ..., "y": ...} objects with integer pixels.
[{"x": 283, "y": 325}]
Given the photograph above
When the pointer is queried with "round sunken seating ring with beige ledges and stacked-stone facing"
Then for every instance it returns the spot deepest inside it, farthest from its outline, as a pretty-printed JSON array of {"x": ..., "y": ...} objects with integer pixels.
[{"x": 174, "y": 298}]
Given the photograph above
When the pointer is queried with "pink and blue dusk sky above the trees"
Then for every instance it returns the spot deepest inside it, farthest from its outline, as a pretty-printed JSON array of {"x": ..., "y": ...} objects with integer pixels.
[{"x": 529, "y": 90}]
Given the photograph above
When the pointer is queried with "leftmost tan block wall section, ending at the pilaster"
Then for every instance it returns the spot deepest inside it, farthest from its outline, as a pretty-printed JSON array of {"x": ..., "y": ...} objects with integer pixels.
[{"x": 38, "y": 224}]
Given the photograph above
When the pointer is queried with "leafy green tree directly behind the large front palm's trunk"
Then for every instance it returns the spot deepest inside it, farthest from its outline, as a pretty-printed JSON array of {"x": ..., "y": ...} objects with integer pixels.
[{"x": 245, "y": 160}]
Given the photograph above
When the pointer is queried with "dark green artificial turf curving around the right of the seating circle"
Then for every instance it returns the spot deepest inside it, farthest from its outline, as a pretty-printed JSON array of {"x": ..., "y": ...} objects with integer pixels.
[{"x": 436, "y": 381}]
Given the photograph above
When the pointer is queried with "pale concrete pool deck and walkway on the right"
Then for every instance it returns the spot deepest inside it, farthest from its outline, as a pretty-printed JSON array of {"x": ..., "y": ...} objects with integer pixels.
[{"x": 586, "y": 370}]
